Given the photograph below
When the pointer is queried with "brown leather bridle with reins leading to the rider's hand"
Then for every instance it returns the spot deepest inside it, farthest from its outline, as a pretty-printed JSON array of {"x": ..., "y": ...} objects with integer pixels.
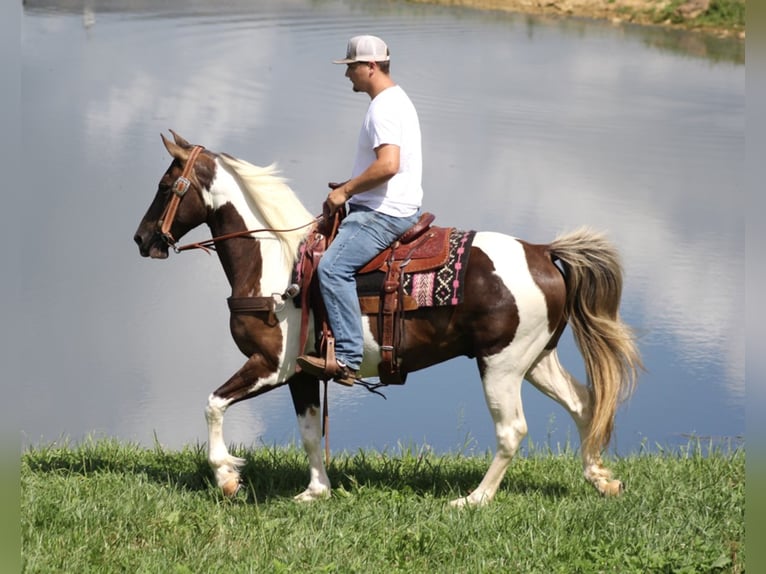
[{"x": 179, "y": 188}]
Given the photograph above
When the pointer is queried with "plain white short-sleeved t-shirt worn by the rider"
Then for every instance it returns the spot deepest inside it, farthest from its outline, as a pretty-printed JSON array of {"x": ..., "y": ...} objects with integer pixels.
[{"x": 391, "y": 119}]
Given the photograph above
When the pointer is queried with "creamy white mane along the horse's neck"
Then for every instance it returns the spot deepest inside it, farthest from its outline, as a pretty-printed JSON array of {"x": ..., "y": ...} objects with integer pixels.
[{"x": 273, "y": 199}]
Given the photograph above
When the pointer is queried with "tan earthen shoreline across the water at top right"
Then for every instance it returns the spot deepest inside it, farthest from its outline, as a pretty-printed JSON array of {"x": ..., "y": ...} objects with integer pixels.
[{"x": 685, "y": 16}]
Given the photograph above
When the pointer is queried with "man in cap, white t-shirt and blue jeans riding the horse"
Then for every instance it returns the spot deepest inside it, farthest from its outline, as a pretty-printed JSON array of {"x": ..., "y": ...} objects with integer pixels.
[{"x": 384, "y": 196}]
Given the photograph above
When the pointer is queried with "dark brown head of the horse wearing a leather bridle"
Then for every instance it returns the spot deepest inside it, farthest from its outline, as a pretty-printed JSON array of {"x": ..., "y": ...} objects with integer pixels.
[{"x": 178, "y": 206}]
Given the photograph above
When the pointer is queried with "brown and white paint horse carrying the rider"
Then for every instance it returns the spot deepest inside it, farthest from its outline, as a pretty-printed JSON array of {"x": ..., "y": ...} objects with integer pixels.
[{"x": 516, "y": 303}]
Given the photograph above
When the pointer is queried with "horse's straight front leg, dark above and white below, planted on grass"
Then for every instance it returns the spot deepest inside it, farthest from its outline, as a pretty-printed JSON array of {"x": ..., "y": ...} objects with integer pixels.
[{"x": 304, "y": 390}]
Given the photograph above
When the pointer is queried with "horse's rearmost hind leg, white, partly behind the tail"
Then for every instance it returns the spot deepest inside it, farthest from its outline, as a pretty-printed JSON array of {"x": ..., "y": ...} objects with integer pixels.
[{"x": 556, "y": 382}]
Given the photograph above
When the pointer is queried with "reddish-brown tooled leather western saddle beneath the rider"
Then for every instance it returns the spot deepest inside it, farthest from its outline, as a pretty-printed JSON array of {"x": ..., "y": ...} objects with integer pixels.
[{"x": 421, "y": 248}]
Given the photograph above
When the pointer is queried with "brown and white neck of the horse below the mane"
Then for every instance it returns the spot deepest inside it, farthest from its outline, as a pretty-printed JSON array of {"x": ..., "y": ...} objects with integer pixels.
[{"x": 253, "y": 267}]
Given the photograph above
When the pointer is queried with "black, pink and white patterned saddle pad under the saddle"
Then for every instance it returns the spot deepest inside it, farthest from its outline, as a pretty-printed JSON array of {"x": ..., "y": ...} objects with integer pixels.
[{"x": 435, "y": 288}]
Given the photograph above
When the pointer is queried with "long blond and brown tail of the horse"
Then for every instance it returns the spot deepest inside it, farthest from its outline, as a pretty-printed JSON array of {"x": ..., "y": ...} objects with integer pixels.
[{"x": 593, "y": 278}]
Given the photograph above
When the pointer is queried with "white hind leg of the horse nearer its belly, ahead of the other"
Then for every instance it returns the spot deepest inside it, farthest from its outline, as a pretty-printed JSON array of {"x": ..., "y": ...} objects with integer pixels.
[{"x": 502, "y": 390}]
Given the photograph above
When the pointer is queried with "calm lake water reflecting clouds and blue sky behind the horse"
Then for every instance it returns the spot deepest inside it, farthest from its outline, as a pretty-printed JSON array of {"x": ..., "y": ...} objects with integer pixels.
[{"x": 530, "y": 127}]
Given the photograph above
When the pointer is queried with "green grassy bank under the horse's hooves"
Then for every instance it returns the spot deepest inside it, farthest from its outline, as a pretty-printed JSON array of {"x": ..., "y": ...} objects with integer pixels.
[{"x": 109, "y": 507}]
